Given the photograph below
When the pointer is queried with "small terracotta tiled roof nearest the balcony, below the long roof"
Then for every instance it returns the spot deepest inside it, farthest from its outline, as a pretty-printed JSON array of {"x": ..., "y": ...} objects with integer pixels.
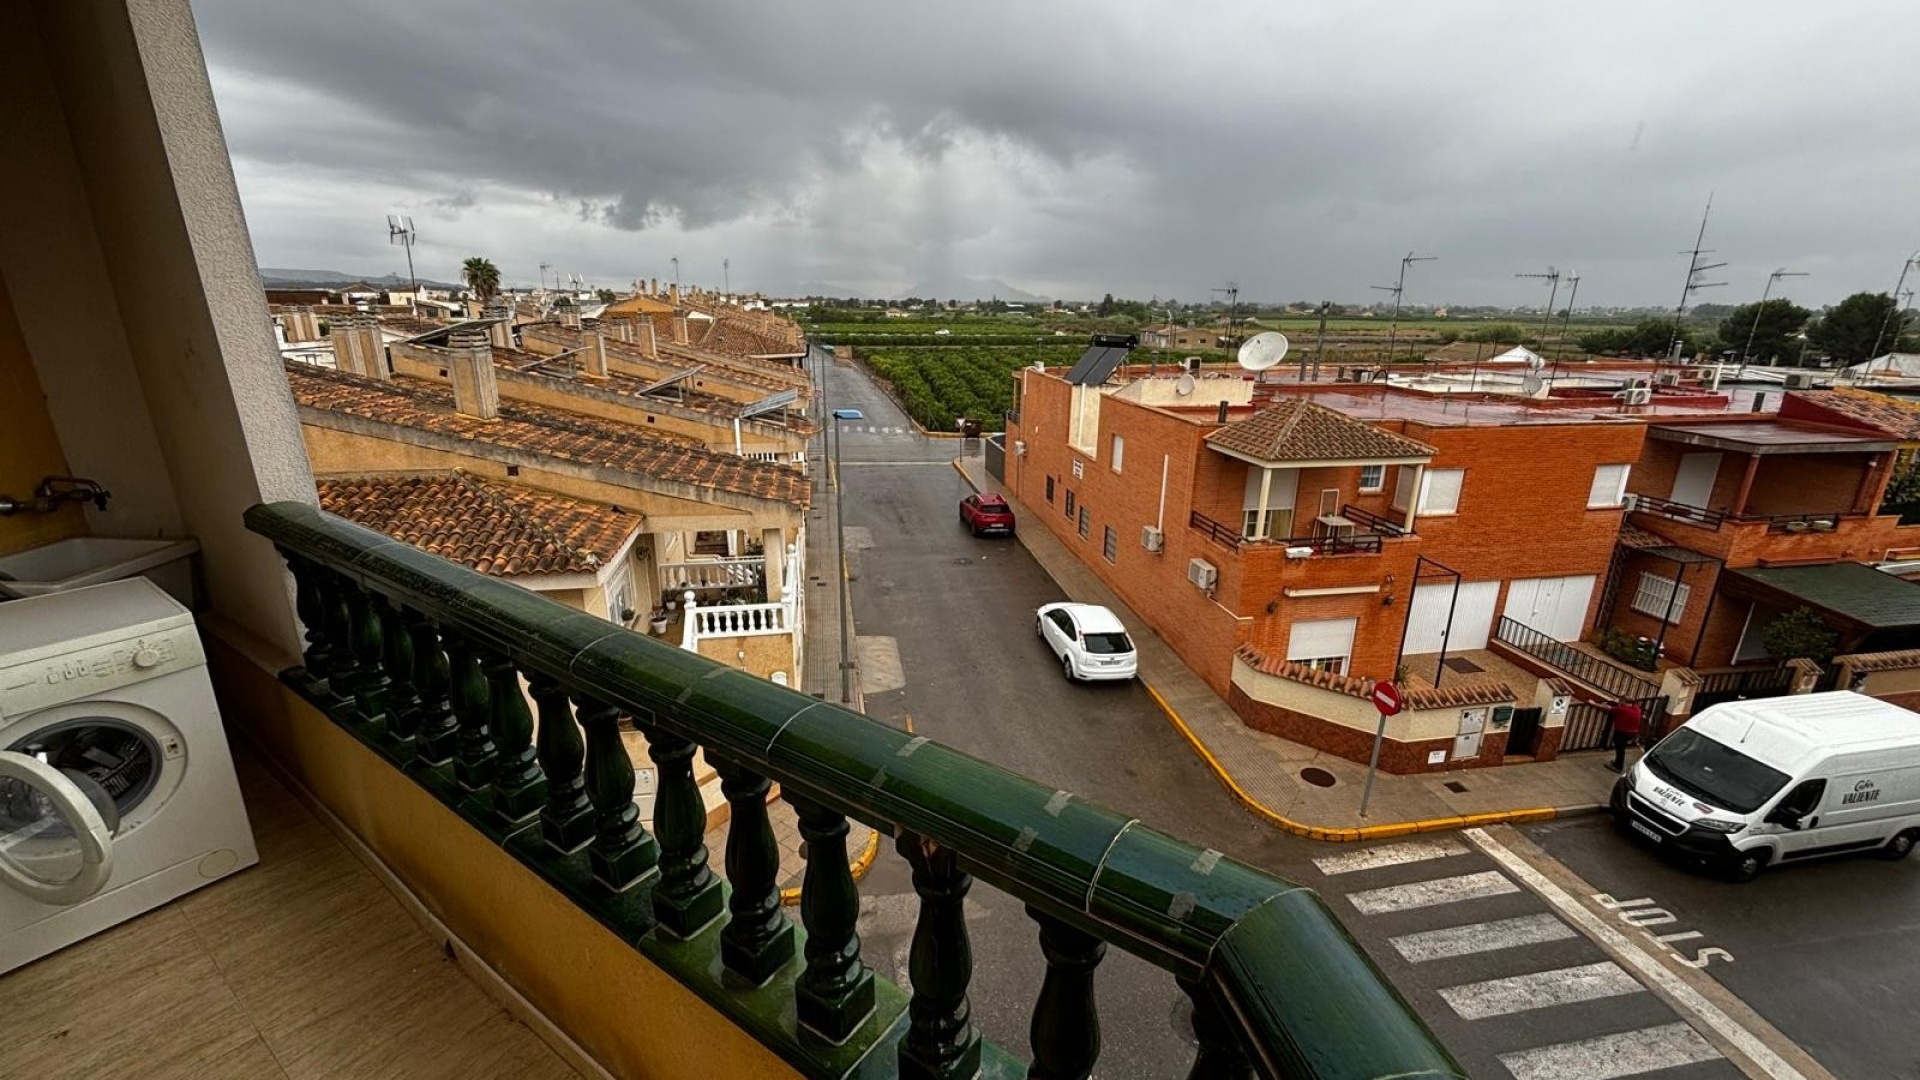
[{"x": 492, "y": 528}]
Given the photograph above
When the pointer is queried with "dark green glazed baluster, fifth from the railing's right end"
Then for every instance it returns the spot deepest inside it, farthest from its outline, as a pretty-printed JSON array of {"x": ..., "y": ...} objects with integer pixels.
[{"x": 757, "y": 939}]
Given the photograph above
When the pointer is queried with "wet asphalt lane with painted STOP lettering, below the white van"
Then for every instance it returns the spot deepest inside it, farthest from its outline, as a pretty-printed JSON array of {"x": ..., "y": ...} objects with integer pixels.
[{"x": 1827, "y": 952}]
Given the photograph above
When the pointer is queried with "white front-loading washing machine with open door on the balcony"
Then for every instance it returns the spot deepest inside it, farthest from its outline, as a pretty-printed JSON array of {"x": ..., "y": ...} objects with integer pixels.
[{"x": 118, "y": 793}]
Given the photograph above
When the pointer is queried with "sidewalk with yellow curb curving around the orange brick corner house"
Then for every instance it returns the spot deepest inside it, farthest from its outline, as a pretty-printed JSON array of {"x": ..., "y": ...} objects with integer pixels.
[{"x": 1266, "y": 773}]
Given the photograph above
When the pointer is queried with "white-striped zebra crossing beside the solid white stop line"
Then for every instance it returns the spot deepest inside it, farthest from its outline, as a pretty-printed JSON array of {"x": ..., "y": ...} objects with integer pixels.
[{"x": 1489, "y": 960}]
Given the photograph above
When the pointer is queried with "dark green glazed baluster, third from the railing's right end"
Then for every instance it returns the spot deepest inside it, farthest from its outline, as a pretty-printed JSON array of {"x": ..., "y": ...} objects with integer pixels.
[{"x": 942, "y": 1043}]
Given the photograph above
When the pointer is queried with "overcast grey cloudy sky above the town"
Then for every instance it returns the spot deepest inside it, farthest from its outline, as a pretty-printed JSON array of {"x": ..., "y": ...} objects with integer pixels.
[{"x": 1076, "y": 149}]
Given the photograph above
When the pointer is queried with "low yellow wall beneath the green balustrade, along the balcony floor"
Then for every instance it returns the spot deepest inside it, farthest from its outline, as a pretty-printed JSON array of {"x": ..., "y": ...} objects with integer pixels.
[{"x": 625, "y": 1012}]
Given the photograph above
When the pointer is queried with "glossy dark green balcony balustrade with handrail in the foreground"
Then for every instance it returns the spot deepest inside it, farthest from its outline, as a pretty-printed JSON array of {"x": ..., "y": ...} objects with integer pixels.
[{"x": 421, "y": 662}]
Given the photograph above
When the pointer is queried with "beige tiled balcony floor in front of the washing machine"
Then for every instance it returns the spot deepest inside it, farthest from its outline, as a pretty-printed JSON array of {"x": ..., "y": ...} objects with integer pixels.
[{"x": 302, "y": 968}]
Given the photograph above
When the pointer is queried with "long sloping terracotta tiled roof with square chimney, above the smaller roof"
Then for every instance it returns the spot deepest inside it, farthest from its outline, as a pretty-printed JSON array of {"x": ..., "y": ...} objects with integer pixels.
[{"x": 554, "y": 433}]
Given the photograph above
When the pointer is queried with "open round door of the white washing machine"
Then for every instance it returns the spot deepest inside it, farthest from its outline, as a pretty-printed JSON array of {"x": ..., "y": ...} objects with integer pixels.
[{"x": 57, "y": 845}]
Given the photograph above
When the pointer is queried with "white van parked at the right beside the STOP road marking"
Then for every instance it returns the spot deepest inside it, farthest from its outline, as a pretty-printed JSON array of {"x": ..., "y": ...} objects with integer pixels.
[{"x": 1746, "y": 785}]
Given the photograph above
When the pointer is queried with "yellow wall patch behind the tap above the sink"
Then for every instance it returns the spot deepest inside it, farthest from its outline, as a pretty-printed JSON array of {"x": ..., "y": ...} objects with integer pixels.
[{"x": 30, "y": 449}]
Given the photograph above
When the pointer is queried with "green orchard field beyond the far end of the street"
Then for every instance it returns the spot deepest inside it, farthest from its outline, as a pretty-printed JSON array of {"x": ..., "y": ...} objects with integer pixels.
[{"x": 938, "y": 385}]
